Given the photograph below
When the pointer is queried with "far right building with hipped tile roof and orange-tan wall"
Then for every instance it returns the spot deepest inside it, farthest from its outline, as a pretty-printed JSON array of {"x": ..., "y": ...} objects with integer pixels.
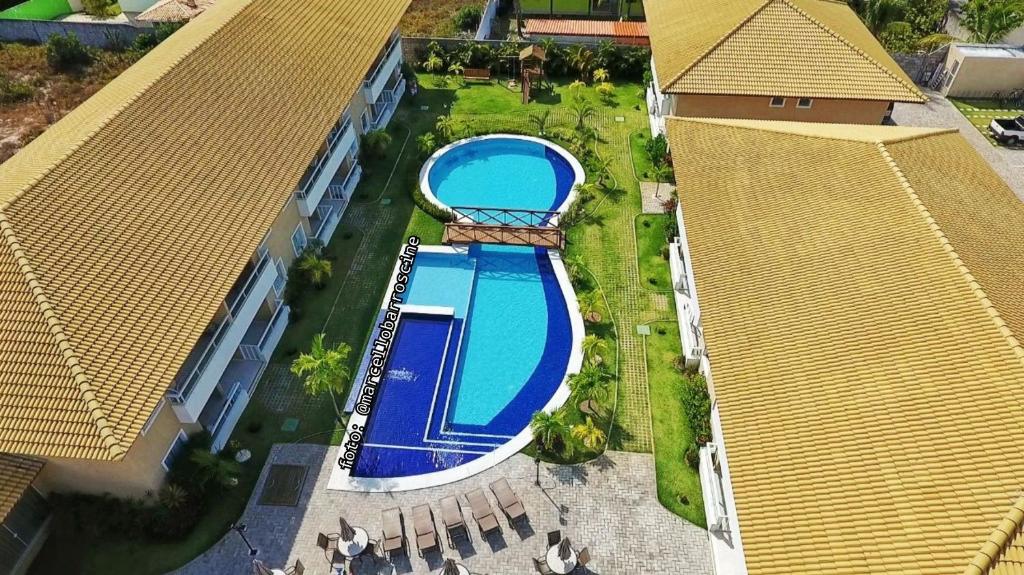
[{"x": 810, "y": 61}]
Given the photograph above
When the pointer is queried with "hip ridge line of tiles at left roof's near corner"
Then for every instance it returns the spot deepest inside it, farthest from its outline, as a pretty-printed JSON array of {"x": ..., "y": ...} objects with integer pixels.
[{"x": 87, "y": 393}]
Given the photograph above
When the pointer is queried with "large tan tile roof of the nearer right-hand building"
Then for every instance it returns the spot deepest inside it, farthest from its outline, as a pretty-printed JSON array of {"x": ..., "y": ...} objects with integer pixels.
[{"x": 869, "y": 377}]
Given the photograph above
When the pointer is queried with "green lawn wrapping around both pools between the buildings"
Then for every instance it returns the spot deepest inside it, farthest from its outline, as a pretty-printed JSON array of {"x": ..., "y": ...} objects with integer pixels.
[{"x": 363, "y": 252}]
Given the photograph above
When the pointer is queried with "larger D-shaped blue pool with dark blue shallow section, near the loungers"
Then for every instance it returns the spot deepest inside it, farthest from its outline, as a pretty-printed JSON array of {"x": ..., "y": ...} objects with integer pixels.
[{"x": 484, "y": 342}]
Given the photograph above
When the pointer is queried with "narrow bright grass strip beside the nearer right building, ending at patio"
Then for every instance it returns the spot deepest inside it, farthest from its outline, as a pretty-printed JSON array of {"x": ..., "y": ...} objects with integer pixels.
[{"x": 678, "y": 483}]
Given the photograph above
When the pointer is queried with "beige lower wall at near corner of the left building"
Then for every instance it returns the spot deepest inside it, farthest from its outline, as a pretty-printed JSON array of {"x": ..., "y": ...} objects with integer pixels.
[{"x": 140, "y": 472}]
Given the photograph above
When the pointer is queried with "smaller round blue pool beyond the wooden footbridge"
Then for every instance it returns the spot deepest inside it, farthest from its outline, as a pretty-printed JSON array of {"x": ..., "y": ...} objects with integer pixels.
[{"x": 502, "y": 172}]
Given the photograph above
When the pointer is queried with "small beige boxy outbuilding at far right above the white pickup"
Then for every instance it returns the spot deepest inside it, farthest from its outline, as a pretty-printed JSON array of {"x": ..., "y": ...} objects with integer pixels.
[{"x": 983, "y": 76}]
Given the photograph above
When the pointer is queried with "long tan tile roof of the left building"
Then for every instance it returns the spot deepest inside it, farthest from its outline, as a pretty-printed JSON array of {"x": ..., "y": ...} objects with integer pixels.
[{"x": 126, "y": 224}]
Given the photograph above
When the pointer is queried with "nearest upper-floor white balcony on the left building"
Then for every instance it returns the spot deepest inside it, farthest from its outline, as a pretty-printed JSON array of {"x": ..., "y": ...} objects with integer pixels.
[{"x": 203, "y": 370}]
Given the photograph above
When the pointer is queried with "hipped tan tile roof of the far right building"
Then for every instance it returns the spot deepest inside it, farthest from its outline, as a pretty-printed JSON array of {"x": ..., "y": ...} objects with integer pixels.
[{"x": 813, "y": 49}]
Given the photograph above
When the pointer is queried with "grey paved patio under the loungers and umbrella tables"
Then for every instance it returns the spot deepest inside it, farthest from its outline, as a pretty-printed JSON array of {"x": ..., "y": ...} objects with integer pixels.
[{"x": 609, "y": 506}]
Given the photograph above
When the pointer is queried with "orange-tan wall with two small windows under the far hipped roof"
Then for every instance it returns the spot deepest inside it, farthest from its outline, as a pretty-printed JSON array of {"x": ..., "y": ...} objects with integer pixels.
[{"x": 757, "y": 108}]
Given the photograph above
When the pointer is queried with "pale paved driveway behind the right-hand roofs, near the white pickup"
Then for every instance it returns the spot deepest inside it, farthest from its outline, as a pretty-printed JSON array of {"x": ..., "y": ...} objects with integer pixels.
[{"x": 940, "y": 113}]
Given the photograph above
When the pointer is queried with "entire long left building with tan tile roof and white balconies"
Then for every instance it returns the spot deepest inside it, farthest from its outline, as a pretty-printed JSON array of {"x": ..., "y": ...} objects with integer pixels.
[{"x": 148, "y": 234}]
